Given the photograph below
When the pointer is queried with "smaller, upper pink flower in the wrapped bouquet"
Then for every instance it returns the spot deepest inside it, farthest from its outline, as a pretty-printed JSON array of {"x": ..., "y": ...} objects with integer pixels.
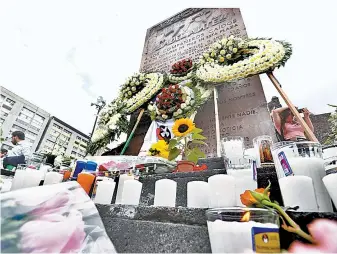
[{"x": 53, "y": 205}]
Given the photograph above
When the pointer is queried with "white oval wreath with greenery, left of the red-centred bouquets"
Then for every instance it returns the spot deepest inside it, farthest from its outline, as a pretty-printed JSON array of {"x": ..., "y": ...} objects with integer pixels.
[{"x": 139, "y": 89}]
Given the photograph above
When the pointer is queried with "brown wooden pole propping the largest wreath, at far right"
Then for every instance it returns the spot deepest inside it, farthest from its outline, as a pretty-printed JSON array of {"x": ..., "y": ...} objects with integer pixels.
[{"x": 310, "y": 135}]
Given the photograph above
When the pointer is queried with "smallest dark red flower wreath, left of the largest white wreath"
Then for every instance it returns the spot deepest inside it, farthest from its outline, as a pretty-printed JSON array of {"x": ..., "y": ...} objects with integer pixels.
[{"x": 181, "y": 71}]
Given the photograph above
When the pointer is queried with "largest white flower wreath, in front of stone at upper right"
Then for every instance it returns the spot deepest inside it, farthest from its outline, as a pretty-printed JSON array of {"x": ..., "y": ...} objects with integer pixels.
[{"x": 233, "y": 58}]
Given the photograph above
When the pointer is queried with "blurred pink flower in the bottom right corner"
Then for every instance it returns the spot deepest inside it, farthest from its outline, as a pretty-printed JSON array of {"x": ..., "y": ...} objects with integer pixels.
[{"x": 324, "y": 233}]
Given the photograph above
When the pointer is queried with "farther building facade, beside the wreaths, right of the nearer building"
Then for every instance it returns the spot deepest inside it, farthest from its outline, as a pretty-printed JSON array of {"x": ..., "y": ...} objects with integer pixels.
[{"x": 60, "y": 137}]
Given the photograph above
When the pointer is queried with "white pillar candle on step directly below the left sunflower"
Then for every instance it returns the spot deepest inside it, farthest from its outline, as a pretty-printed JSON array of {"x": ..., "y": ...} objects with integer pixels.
[{"x": 165, "y": 193}]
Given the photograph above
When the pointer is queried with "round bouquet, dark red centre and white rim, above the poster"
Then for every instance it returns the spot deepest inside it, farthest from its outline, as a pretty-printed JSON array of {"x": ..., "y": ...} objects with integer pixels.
[{"x": 174, "y": 101}]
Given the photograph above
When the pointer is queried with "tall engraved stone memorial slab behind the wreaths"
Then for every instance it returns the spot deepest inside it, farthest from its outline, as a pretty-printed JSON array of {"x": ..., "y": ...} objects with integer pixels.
[{"x": 242, "y": 106}]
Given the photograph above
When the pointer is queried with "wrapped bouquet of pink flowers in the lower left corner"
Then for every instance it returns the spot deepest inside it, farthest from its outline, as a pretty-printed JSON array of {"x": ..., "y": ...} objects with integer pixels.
[{"x": 58, "y": 218}]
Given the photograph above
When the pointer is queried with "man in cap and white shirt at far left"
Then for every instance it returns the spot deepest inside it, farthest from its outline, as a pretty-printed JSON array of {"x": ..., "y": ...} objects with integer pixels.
[{"x": 20, "y": 153}]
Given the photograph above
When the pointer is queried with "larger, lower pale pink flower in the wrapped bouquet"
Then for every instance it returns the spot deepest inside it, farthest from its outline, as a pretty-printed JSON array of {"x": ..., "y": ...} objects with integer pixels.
[{"x": 53, "y": 233}]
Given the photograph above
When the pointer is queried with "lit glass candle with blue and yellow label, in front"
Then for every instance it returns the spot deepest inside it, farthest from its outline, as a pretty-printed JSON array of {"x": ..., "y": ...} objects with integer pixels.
[{"x": 239, "y": 230}]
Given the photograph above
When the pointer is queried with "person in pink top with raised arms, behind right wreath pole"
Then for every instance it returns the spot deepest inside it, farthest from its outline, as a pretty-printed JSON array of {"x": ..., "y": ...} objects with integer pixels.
[{"x": 287, "y": 125}]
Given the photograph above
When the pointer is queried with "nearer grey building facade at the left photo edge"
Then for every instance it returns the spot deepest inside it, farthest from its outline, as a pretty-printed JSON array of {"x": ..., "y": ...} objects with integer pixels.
[{"x": 19, "y": 114}]
